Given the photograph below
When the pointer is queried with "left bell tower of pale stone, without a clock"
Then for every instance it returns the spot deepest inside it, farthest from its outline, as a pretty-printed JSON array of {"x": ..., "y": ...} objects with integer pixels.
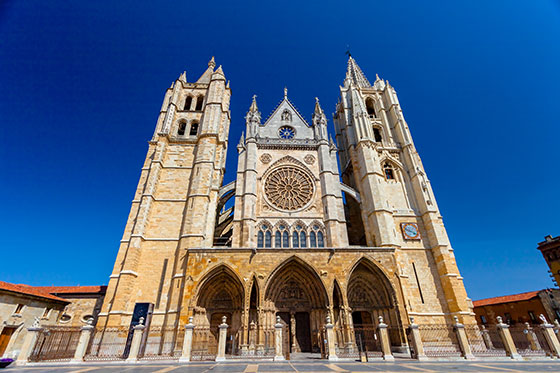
[{"x": 174, "y": 207}]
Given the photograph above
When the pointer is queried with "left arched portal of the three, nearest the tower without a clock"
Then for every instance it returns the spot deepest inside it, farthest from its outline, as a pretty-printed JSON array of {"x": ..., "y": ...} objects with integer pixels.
[{"x": 220, "y": 294}]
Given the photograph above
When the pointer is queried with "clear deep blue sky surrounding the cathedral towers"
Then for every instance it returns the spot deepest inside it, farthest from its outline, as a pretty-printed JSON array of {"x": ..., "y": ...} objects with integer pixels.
[{"x": 81, "y": 84}]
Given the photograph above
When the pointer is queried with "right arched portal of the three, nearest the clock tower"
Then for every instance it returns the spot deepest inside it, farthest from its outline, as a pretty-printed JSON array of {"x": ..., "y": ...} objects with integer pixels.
[{"x": 370, "y": 295}]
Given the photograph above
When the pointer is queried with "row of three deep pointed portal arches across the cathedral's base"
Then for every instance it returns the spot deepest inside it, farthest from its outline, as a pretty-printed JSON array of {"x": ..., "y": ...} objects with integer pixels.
[{"x": 296, "y": 293}]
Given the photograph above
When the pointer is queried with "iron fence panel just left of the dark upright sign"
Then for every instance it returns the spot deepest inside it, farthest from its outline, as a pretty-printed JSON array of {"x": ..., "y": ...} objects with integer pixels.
[{"x": 109, "y": 343}]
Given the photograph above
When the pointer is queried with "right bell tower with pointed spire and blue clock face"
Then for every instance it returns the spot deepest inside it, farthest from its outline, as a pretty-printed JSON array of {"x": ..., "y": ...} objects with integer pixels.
[{"x": 398, "y": 208}]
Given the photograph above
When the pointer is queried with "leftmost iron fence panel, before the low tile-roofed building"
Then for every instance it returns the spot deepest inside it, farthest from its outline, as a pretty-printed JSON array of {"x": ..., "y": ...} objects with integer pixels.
[{"x": 56, "y": 343}]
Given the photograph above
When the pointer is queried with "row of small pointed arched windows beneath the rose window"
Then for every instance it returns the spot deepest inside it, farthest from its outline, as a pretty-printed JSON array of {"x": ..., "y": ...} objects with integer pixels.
[{"x": 297, "y": 236}]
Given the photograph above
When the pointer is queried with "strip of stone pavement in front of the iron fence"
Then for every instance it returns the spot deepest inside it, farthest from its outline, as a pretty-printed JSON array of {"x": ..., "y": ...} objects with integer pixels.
[{"x": 301, "y": 366}]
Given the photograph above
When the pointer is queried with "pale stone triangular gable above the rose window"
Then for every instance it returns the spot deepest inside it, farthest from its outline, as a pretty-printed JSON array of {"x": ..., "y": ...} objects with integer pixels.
[{"x": 286, "y": 114}]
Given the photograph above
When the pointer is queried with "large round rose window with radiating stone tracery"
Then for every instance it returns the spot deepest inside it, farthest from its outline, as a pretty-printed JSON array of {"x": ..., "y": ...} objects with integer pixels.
[{"x": 288, "y": 188}]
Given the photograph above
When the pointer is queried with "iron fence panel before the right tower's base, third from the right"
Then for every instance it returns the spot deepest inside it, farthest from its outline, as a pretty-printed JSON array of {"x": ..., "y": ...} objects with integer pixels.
[{"x": 439, "y": 340}]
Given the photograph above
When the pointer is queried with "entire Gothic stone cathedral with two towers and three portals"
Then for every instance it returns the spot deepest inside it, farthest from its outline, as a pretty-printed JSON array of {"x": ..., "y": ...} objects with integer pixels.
[{"x": 318, "y": 223}]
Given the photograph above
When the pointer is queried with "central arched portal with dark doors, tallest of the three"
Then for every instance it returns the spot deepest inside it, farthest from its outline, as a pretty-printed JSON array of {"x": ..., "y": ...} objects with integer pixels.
[{"x": 296, "y": 294}]
